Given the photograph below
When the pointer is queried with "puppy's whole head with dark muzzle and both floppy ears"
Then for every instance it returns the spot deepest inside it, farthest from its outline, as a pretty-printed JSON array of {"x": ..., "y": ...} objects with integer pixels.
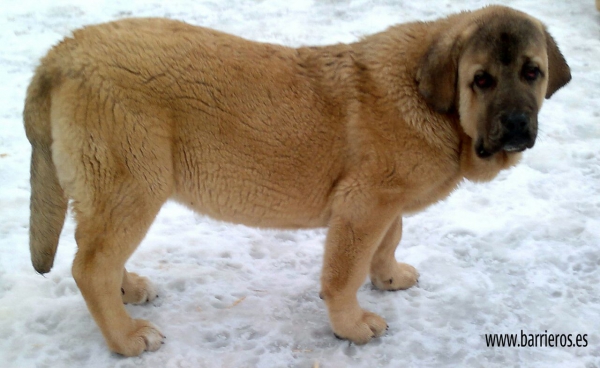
[{"x": 494, "y": 66}]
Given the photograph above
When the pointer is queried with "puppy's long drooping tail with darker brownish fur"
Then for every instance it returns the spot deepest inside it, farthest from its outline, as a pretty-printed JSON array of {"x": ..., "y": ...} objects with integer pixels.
[{"x": 48, "y": 201}]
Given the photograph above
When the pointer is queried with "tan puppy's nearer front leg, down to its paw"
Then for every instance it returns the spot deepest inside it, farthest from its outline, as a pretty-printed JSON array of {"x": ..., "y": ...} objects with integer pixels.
[{"x": 354, "y": 234}]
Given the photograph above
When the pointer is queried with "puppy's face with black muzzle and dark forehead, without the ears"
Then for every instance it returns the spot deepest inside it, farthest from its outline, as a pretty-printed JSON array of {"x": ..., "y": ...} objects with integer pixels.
[{"x": 502, "y": 81}]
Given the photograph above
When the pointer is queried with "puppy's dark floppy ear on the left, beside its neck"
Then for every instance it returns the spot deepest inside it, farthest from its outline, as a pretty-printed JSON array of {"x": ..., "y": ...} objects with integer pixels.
[{"x": 437, "y": 74}]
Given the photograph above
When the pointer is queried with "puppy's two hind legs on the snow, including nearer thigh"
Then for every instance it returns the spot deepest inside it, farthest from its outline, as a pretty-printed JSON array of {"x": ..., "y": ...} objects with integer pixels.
[{"x": 117, "y": 168}]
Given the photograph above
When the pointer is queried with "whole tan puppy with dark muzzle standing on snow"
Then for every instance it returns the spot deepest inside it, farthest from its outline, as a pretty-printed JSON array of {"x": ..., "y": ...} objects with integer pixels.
[{"x": 125, "y": 115}]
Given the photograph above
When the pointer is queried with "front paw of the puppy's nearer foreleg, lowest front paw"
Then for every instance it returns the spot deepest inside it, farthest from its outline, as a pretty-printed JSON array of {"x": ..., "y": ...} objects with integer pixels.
[{"x": 359, "y": 328}]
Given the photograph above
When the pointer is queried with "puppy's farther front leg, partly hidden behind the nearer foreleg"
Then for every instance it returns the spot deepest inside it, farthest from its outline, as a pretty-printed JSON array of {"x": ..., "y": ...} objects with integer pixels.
[{"x": 386, "y": 273}]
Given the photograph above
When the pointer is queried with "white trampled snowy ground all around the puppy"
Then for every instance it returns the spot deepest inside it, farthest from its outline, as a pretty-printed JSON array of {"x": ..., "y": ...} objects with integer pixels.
[{"x": 520, "y": 253}]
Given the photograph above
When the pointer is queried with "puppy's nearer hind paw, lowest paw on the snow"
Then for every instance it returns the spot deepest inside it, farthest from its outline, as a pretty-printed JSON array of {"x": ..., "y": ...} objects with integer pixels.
[{"x": 144, "y": 336}]
